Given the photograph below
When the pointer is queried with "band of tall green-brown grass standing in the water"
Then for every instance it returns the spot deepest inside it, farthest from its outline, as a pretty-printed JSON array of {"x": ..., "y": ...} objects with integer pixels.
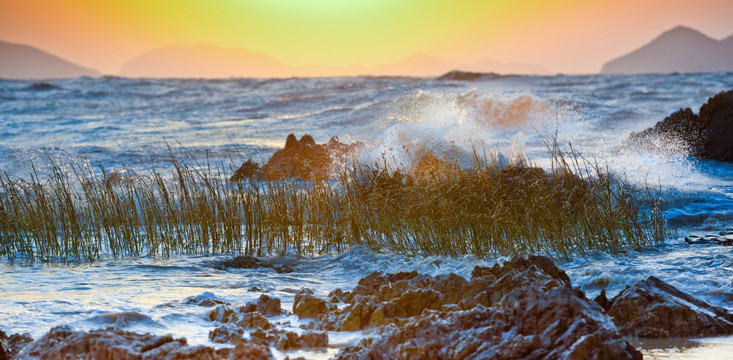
[{"x": 81, "y": 213}]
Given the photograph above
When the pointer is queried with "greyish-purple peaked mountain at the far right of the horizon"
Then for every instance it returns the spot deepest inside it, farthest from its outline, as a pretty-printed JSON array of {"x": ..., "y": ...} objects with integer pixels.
[{"x": 678, "y": 50}]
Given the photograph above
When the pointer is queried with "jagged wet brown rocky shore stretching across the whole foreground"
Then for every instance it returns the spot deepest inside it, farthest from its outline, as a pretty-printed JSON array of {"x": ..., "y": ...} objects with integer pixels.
[{"x": 525, "y": 308}]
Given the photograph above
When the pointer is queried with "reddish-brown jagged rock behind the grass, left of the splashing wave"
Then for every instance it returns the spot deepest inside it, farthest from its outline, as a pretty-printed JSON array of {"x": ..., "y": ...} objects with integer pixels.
[{"x": 300, "y": 159}]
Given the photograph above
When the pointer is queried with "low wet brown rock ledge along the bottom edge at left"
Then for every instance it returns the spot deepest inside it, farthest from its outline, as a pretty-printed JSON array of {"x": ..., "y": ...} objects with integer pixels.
[{"x": 63, "y": 343}]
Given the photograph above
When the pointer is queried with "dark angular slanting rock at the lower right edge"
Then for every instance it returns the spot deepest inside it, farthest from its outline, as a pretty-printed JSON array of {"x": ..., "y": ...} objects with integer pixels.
[{"x": 655, "y": 309}]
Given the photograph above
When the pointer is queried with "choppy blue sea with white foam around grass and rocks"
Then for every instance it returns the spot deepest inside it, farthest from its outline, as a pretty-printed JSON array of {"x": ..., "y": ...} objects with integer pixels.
[{"x": 137, "y": 124}]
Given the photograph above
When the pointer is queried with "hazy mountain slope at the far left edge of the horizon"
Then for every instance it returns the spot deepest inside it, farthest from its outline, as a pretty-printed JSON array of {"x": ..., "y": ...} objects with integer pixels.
[{"x": 26, "y": 62}]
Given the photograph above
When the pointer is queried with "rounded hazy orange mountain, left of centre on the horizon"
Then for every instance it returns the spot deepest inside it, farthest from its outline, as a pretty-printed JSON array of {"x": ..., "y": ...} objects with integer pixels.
[{"x": 203, "y": 61}]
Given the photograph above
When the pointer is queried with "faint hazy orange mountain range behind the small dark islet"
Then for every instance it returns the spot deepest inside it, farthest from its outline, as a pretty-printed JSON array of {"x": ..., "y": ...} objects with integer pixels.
[{"x": 427, "y": 65}]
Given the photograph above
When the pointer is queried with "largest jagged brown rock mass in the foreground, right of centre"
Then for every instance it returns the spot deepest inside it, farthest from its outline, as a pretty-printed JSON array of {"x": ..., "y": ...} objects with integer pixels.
[{"x": 523, "y": 309}]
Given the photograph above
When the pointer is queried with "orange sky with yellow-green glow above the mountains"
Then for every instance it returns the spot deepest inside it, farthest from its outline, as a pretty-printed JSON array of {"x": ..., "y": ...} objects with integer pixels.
[{"x": 565, "y": 36}]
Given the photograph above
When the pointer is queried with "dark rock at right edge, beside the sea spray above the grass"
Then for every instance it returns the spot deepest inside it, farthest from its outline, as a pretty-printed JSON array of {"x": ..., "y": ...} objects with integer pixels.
[{"x": 707, "y": 134}]
